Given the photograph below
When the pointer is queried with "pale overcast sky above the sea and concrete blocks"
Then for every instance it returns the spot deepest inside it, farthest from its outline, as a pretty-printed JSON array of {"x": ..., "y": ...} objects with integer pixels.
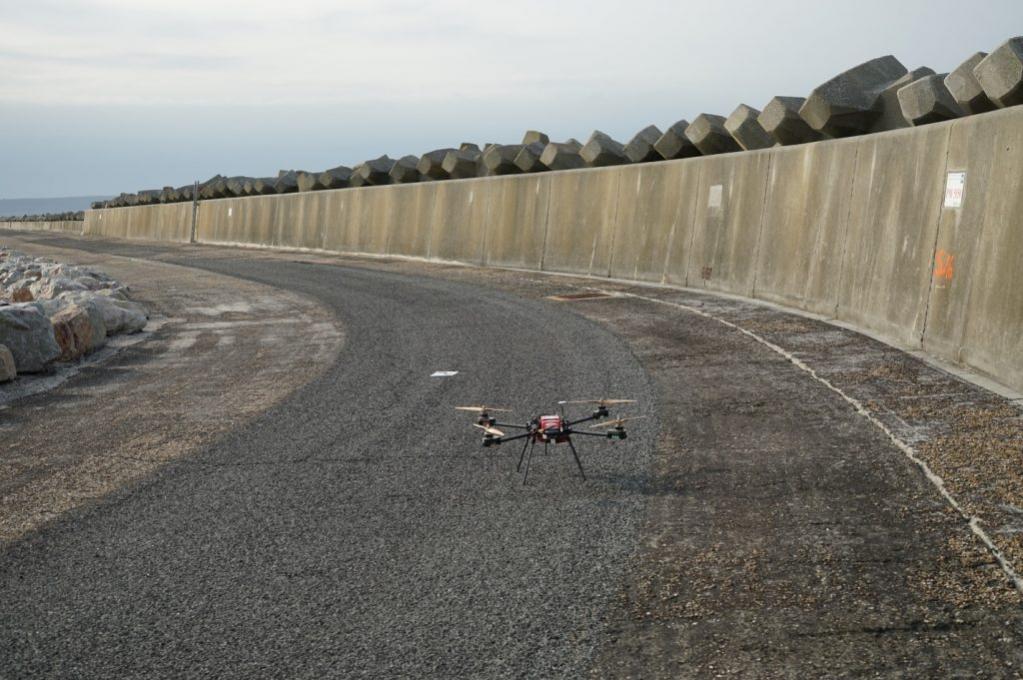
[{"x": 119, "y": 96}]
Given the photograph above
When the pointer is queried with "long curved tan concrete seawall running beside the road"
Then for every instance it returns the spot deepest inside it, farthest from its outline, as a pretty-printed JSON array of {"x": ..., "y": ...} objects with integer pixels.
[{"x": 857, "y": 230}]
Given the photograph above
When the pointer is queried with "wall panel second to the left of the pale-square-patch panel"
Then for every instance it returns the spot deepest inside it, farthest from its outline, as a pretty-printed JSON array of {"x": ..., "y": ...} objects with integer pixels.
[{"x": 582, "y": 221}]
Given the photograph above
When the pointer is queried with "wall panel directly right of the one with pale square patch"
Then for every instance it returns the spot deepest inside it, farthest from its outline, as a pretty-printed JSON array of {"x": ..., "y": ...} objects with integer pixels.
[{"x": 804, "y": 239}]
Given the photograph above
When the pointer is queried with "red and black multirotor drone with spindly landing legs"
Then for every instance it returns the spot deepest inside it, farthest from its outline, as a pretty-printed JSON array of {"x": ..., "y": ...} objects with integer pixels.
[{"x": 551, "y": 430}]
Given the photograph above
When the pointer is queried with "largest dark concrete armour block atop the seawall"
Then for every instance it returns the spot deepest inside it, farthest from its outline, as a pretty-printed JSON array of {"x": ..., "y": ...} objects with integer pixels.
[{"x": 849, "y": 104}]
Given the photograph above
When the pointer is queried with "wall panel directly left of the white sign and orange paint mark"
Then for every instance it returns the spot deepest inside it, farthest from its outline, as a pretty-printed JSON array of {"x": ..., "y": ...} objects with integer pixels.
[{"x": 897, "y": 199}]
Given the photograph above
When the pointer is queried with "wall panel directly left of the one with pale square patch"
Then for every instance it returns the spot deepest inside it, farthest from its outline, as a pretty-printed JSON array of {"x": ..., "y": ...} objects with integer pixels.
[{"x": 654, "y": 217}]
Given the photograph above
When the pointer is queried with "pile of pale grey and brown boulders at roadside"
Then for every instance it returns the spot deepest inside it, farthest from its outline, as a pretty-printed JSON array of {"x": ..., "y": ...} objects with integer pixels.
[{"x": 52, "y": 311}]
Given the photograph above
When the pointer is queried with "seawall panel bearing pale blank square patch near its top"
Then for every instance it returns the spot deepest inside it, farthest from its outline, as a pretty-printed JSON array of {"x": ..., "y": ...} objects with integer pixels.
[{"x": 728, "y": 221}]
